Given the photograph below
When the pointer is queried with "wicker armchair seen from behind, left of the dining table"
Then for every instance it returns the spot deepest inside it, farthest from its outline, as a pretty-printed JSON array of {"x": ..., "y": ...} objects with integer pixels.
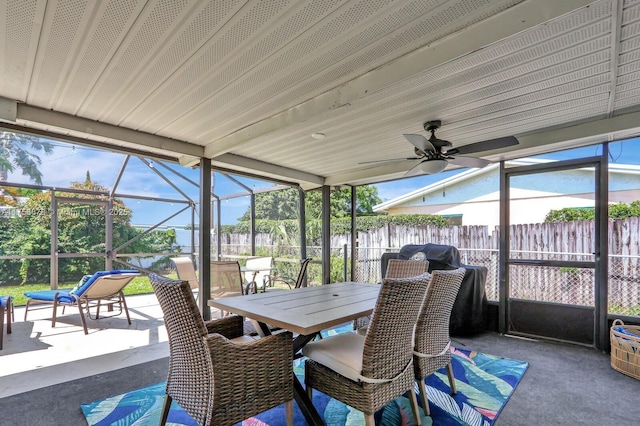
[{"x": 216, "y": 374}]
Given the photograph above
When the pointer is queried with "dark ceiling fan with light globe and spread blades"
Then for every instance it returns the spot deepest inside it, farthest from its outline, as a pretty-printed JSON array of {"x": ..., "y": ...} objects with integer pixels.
[{"x": 436, "y": 153}]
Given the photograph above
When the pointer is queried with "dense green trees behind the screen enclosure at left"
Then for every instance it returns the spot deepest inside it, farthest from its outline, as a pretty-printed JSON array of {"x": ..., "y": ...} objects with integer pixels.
[{"x": 81, "y": 228}]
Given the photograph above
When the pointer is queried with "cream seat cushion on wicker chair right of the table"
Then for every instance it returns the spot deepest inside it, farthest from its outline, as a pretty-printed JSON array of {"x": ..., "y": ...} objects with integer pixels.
[{"x": 342, "y": 353}]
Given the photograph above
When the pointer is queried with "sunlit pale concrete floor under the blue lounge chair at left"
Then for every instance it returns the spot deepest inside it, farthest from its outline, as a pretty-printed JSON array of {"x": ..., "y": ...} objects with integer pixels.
[{"x": 36, "y": 355}]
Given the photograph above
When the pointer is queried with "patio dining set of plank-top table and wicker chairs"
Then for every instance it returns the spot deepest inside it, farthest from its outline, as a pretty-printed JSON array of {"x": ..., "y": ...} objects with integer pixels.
[{"x": 404, "y": 338}]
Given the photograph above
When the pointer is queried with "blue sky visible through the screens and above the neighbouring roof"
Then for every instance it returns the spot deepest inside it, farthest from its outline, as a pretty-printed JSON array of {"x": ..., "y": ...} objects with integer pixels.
[{"x": 70, "y": 163}]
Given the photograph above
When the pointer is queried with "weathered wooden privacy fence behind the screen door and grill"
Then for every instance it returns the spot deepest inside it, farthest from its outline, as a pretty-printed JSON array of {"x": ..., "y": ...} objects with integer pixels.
[{"x": 478, "y": 245}]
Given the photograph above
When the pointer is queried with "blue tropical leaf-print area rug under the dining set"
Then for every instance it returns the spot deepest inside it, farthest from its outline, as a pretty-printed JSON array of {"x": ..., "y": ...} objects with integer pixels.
[{"x": 484, "y": 384}]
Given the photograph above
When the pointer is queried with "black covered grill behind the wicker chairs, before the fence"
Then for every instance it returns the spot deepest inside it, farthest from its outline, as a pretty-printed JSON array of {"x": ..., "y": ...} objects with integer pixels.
[{"x": 468, "y": 313}]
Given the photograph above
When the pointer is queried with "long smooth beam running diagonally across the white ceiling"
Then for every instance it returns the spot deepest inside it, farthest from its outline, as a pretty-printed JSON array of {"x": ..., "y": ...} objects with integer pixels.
[{"x": 513, "y": 20}]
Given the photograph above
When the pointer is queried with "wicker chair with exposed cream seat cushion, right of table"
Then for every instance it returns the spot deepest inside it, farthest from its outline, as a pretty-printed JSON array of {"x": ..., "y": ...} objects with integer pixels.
[{"x": 367, "y": 372}]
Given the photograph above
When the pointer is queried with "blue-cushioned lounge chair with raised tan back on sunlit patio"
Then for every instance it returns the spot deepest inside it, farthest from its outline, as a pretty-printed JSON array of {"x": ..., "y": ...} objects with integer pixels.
[{"x": 101, "y": 288}]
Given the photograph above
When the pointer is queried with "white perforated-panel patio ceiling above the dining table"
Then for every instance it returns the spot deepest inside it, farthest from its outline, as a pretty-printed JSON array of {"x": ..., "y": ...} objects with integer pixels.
[{"x": 246, "y": 83}]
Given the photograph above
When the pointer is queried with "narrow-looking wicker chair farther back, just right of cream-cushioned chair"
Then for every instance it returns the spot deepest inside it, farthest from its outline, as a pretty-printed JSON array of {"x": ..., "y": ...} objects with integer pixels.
[{"x": 432, "y": 341}]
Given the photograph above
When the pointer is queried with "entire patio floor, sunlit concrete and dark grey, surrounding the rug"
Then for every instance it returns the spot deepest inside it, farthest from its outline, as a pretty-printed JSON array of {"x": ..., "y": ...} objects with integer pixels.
[{"x": 48, "y": 372}]
